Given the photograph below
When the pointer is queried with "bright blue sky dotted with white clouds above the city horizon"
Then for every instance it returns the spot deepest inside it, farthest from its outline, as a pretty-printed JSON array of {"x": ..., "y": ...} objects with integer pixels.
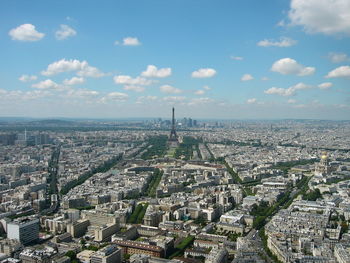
[{"x": 210, "y": 59}]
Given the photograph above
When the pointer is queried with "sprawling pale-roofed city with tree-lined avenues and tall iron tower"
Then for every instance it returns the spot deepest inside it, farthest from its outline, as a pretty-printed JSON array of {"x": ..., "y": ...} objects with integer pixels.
[{"x": 175, "y": 190}]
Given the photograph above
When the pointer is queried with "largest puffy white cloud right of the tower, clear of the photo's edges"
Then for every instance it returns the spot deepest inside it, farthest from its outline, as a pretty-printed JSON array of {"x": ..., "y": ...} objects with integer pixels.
[{"x": 288, "y": 66}]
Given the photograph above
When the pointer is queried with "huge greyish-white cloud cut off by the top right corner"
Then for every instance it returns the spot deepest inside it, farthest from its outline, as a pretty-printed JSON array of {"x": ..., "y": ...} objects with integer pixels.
[{"x": 321, "y": 16}]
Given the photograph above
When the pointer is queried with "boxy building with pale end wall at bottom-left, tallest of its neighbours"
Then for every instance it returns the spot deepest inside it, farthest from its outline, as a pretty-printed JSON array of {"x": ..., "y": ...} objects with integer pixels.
[{"x": 25, "y": 230}]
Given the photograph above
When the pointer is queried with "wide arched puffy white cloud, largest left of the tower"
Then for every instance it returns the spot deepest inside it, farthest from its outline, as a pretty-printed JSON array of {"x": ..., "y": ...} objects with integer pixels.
[{"x": 63, "y": 65}]
